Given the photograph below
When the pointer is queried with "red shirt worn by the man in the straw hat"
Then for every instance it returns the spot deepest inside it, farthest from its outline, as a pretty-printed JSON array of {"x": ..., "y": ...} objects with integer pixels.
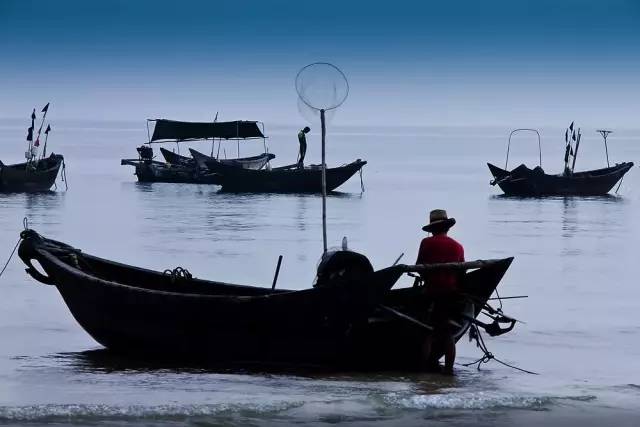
[{"x": 437, "y": 249}]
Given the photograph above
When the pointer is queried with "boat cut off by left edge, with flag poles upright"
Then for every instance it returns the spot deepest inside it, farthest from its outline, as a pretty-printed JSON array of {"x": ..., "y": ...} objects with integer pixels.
[{"x": 38, "y": 173}]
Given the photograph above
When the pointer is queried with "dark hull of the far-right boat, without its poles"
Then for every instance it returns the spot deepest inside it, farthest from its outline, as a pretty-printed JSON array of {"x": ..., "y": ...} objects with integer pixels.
[{"x": 526, "y": 182}]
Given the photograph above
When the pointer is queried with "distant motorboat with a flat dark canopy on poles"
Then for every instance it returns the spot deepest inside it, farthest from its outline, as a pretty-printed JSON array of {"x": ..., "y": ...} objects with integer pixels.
[{"x": 182, "y": 169}]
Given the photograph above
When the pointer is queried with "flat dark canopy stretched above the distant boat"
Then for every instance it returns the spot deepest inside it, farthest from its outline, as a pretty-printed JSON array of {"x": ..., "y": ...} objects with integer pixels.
[{"x": 172, "y": 130}]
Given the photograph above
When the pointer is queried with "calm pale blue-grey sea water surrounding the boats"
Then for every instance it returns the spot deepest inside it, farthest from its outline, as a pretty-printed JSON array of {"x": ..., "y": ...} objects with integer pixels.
[{"x": 574, "y": 257}]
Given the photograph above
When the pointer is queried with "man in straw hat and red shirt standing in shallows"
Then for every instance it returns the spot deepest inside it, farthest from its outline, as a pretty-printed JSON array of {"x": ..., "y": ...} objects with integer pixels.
[{"x": 441, "y": 287}]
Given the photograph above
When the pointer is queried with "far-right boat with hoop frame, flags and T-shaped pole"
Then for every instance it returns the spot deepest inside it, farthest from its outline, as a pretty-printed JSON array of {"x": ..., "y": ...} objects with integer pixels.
[{"x": 523, "y": 181}]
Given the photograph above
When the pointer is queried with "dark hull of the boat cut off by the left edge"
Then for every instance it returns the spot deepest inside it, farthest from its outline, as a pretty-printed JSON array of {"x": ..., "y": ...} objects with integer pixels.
[{"x": 26, "y": 178}]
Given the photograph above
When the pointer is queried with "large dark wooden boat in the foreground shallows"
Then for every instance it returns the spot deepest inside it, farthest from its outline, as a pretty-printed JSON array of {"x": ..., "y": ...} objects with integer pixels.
[{"x": 352, "y": 317}]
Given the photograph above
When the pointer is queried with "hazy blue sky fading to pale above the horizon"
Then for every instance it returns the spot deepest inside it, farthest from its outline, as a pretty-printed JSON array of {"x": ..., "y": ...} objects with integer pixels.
[{"x": 425, "y": 63}]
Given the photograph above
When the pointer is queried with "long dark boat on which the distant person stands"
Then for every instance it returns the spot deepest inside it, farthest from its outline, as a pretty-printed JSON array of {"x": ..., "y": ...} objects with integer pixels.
[{"x": 286, "y": 179}]
